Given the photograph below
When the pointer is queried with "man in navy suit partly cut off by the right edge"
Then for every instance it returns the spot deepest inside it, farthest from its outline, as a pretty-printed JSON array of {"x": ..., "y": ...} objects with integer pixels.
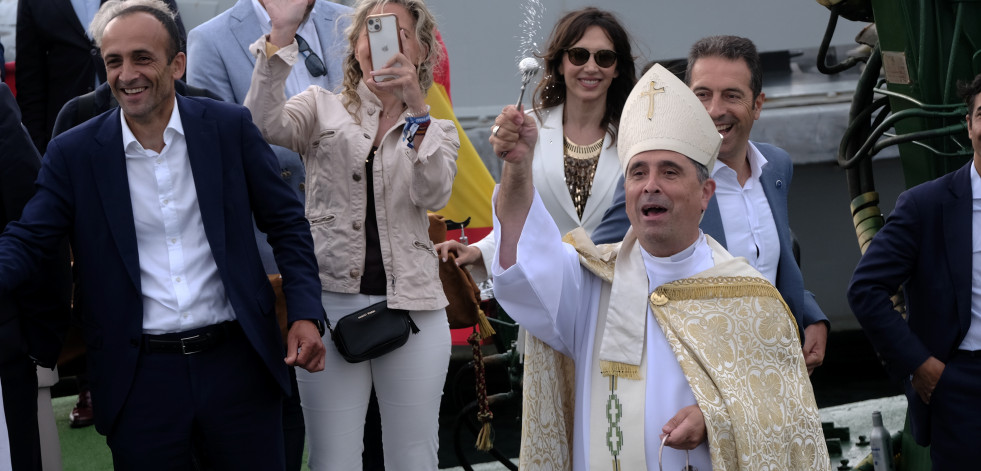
[{"x": 931, "y": 246}]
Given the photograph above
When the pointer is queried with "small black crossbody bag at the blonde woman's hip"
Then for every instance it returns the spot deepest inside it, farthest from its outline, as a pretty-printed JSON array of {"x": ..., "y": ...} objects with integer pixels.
[{"x": 371, "y": 332}]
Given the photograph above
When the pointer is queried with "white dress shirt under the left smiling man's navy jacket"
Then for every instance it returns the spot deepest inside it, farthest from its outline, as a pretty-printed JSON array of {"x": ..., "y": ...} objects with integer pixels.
[{"x": 181, "y": 287}]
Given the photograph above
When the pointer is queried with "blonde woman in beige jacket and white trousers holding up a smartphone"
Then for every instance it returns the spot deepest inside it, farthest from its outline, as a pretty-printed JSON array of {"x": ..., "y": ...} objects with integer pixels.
[{"x": 375, "y": 162}]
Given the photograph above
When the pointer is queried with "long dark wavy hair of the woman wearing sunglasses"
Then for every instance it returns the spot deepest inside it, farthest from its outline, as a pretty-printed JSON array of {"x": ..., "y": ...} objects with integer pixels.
[{"x": 569, "y": 29}]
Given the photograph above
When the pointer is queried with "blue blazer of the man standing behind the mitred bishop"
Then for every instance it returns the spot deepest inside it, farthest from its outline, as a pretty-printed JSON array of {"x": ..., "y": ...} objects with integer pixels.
[{"x": 775, "y": 178}]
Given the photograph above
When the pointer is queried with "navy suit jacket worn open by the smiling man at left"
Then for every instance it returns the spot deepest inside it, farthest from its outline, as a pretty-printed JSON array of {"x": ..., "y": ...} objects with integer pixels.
[{"x": 82, "y": 191}]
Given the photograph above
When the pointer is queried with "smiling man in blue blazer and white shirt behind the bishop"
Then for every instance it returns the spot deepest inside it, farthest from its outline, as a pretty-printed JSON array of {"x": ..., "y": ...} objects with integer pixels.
[{"x": 753, "y": 181}]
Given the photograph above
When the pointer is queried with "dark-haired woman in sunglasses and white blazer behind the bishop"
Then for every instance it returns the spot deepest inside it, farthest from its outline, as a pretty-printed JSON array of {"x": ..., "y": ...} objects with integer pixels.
[{"x": 589, "y": 71}]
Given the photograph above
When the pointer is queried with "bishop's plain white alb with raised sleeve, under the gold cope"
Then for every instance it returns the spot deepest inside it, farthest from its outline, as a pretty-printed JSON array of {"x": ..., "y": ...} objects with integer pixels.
[{"x": 554, "y": 282}]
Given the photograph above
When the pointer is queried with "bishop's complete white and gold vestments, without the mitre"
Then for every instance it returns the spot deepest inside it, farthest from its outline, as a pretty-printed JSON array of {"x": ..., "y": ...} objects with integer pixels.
[{"x": 647, "y": 337}]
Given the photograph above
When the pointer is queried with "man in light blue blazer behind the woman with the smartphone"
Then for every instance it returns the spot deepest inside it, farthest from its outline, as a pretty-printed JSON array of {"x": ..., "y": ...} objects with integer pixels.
[{"x": 219, "y": 60}]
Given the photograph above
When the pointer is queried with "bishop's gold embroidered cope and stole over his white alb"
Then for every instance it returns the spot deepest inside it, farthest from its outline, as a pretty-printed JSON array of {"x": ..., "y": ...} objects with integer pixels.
[{"x": 737, "y": 345}]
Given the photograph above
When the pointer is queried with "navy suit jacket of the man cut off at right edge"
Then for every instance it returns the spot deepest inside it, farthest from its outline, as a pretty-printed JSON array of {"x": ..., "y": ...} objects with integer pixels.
[{"x": 925, "y": 246}]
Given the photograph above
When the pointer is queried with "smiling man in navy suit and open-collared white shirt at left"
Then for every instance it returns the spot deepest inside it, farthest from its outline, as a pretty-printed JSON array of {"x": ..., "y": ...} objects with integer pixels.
[{"x": 158, "y": 198}]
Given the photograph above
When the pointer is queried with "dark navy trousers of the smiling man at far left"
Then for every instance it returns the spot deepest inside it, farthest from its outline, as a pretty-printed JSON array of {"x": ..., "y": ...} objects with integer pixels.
[{"x": 222, "y": 402}]
